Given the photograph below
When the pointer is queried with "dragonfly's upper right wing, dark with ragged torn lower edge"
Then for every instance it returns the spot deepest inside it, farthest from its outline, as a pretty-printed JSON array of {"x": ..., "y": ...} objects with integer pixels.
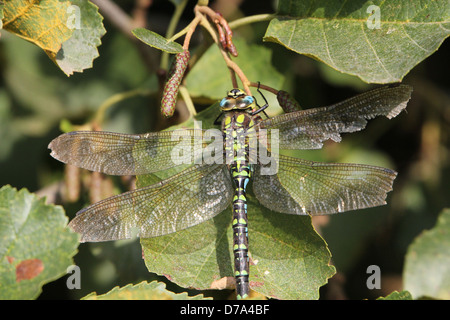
[{"x": 307, "y": 129}]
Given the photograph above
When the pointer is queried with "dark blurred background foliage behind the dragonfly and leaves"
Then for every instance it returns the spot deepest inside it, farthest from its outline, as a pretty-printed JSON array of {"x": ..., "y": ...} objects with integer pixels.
[{"x": 35, "y": 96}]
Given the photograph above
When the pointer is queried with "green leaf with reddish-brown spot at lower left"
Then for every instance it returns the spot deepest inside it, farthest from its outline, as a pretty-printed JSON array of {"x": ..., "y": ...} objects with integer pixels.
[{"x": 35, "y": 248}]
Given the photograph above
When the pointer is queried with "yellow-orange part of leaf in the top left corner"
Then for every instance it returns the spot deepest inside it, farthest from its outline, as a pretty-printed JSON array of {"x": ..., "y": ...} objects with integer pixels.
[{"x": 42, "y": 23}]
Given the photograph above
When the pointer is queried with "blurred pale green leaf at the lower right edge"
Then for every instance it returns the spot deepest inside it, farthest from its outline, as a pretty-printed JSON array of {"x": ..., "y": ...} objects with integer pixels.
[{"x": 427, "y": 264}]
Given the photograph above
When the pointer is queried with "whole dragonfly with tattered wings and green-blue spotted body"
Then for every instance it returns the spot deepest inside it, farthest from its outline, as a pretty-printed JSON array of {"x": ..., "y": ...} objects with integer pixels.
[{"x": 206, "y": 188}]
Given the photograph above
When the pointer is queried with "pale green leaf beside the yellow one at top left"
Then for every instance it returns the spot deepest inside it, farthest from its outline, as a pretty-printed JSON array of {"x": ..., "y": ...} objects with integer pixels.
[{"x": 78, "y": 52}]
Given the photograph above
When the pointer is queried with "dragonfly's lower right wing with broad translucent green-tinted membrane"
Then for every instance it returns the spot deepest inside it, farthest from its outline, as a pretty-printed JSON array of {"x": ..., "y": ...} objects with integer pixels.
[{"x": 315, "y": 188}]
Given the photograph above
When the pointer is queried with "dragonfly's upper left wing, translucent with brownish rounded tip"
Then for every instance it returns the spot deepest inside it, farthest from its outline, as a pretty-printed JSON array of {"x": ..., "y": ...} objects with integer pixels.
[{"x": 126, "y": 154}]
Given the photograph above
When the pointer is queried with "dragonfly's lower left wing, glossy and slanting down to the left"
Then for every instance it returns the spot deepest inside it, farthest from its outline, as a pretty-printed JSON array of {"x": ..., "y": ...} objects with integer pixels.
[{"x": 181, "y": 201}]
